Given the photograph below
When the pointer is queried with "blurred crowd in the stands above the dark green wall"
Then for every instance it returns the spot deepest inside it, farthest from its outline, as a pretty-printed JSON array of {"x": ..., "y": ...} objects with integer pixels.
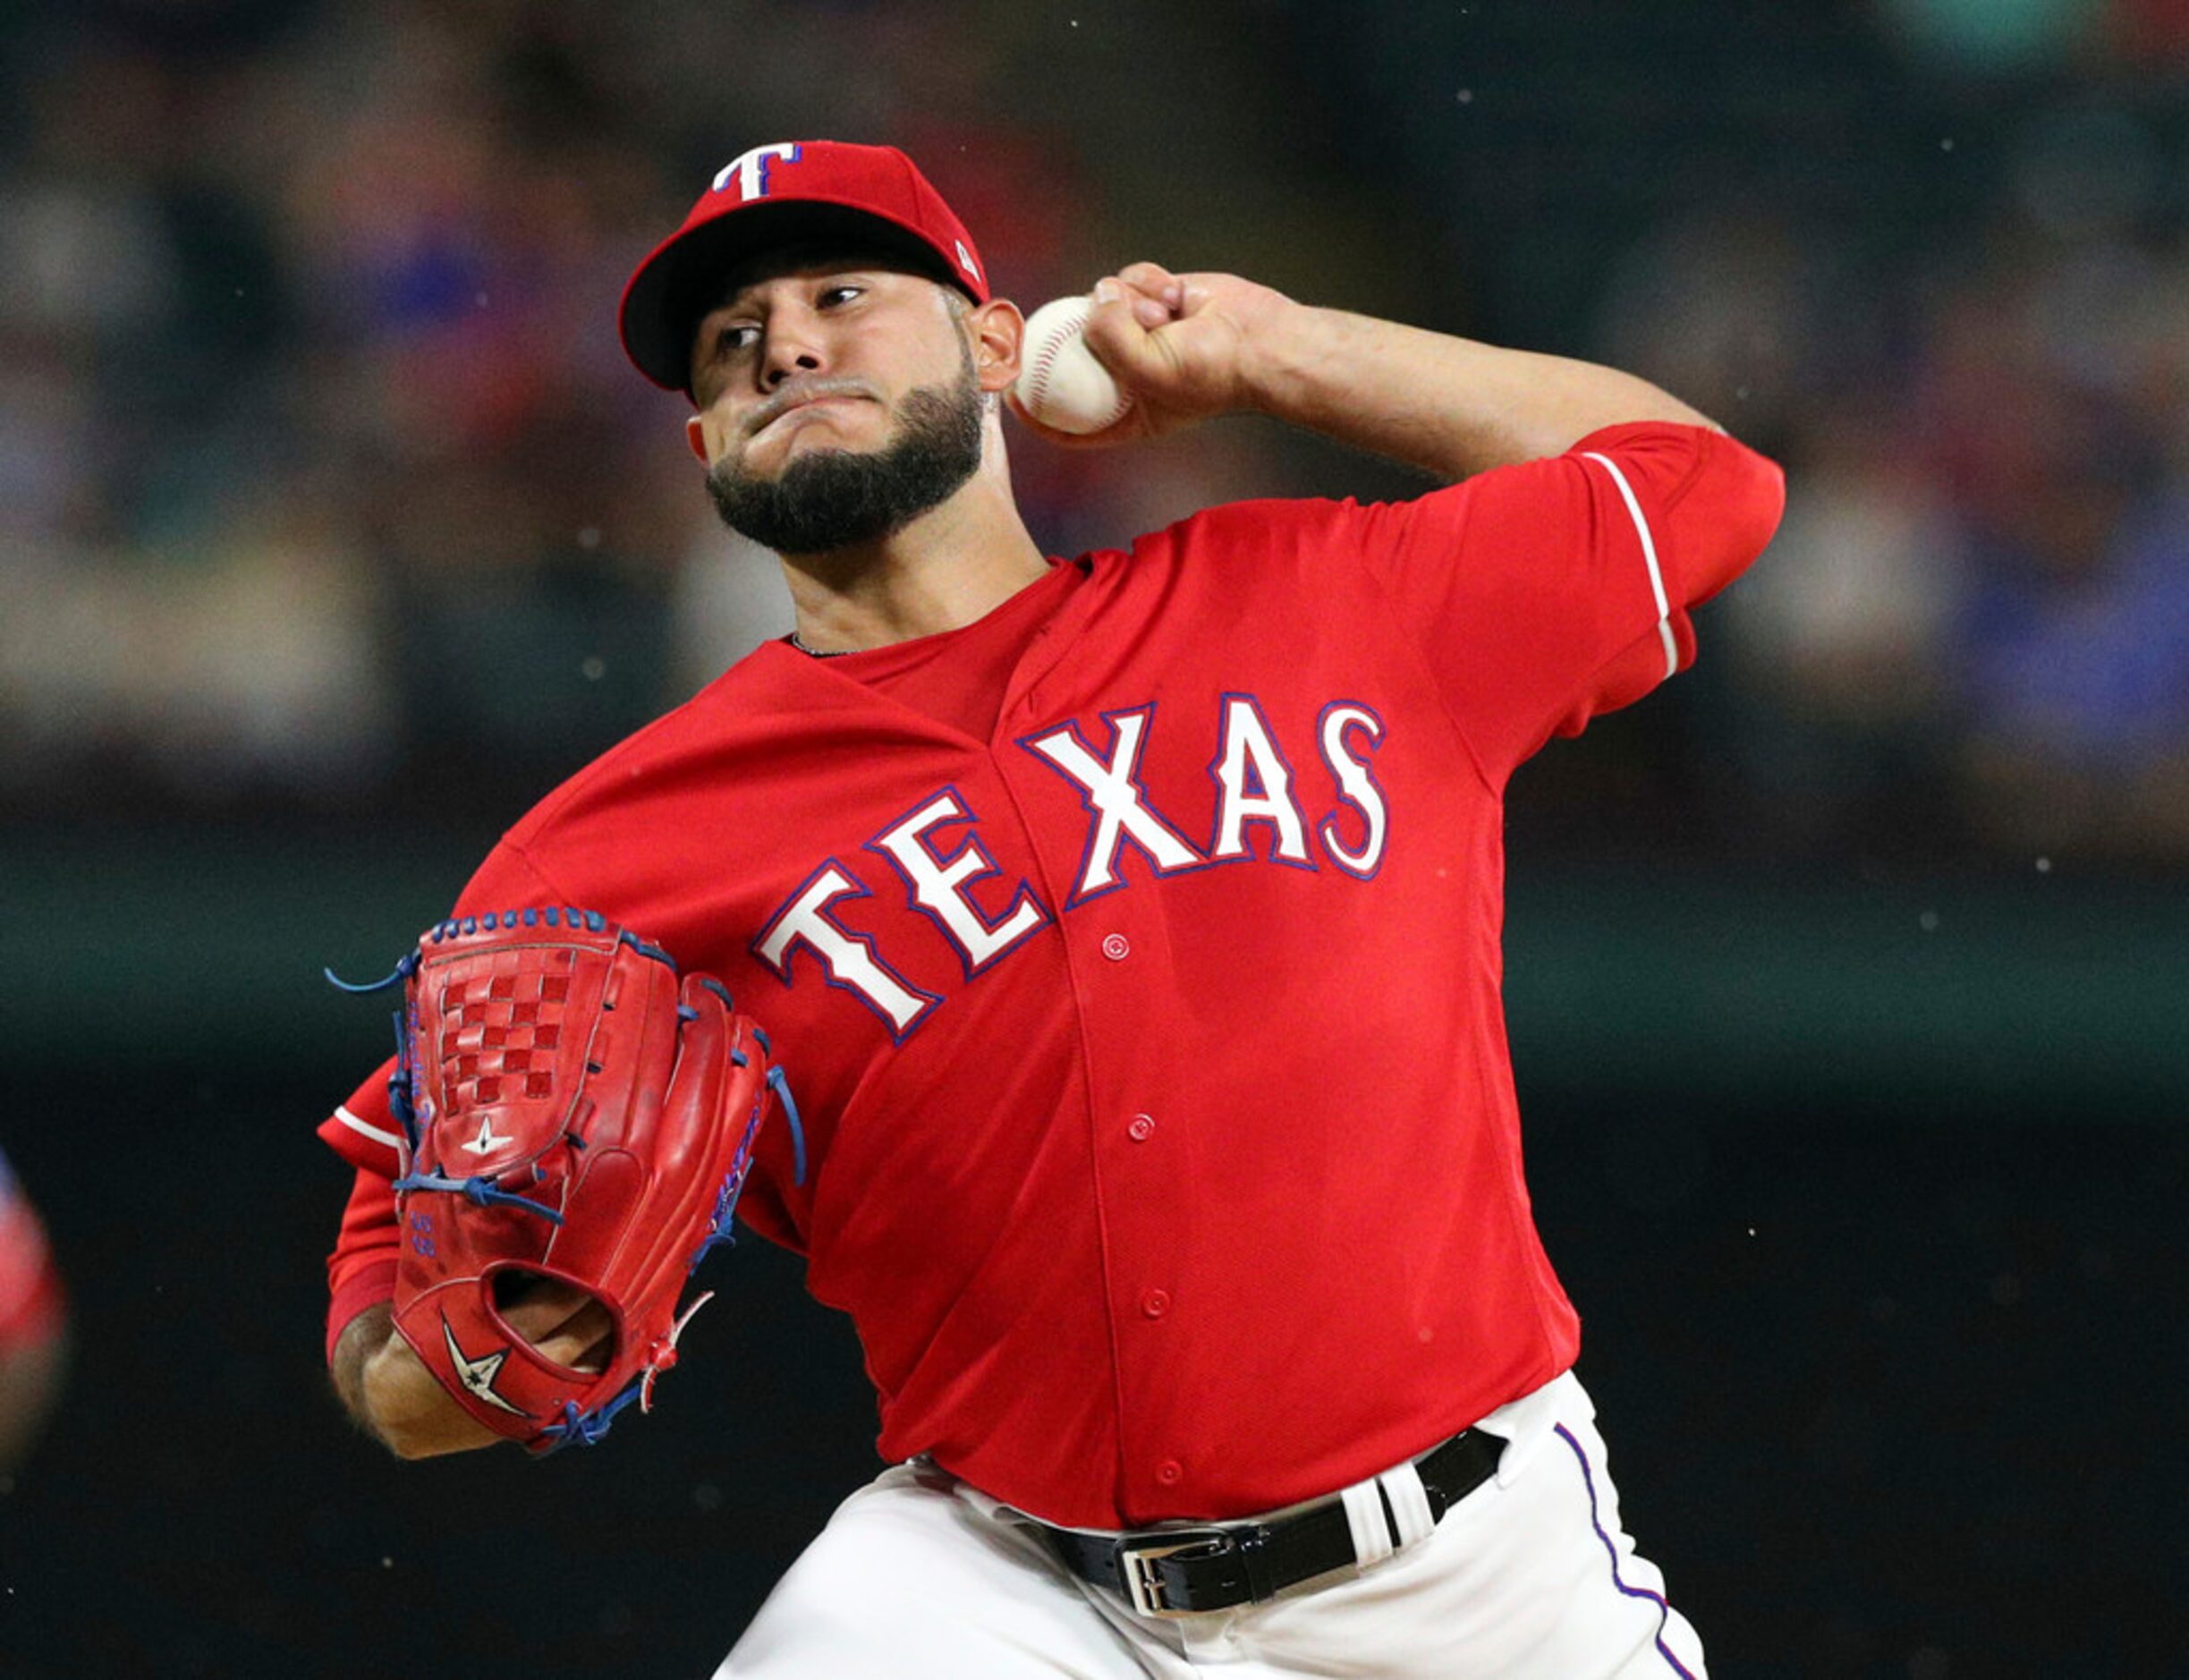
[{"x": 323, "y": 479}]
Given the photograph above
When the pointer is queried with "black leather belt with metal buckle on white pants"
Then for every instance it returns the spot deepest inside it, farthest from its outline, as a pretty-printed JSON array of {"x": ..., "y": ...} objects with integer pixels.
[{"x": 1185, "y": 1572}]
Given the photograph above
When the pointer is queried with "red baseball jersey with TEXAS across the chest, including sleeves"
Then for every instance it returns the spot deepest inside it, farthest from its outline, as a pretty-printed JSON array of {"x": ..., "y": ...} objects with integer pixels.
[{"x": 1135, "y": 958}]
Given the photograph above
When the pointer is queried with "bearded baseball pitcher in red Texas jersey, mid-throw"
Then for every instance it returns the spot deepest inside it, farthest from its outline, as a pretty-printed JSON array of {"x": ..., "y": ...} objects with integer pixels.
[{"x": 1128, "y": 930}]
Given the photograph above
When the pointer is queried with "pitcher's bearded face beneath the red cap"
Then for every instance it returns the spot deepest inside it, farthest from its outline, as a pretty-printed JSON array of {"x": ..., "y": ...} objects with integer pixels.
[{"x": 837, "y": 404}]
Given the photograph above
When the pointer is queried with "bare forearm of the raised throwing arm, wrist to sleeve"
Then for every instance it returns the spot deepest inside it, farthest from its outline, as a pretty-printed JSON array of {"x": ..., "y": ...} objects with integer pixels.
[{"x": 1444, "y": 404}]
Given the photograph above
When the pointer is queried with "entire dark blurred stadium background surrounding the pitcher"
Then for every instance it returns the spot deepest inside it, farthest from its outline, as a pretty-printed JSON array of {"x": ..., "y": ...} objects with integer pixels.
[{"x": 1849, "y": 976}]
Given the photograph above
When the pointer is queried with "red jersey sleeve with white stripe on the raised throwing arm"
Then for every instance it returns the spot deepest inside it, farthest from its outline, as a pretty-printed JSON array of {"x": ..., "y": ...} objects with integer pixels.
[{"x": 1555, "y": 590}]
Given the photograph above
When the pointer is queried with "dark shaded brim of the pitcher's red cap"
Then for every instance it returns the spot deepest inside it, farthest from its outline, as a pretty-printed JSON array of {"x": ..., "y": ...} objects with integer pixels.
[{"x": 691, "y": 273}]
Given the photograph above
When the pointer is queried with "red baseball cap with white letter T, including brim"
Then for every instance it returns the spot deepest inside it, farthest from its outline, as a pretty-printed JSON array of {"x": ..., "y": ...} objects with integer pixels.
[{"x": 776, "y": 196}]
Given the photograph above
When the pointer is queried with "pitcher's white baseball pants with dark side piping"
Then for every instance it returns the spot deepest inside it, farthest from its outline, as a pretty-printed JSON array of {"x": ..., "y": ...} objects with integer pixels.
[{"x": 1529, "y": 1578}]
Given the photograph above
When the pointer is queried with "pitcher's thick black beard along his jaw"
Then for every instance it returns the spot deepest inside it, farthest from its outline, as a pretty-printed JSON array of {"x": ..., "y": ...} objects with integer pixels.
[{"x": 842, "y": 498}]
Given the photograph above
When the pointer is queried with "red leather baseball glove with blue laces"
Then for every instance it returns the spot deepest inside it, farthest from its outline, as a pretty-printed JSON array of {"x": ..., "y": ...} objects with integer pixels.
[{"x": 570, "y": 1112}]
